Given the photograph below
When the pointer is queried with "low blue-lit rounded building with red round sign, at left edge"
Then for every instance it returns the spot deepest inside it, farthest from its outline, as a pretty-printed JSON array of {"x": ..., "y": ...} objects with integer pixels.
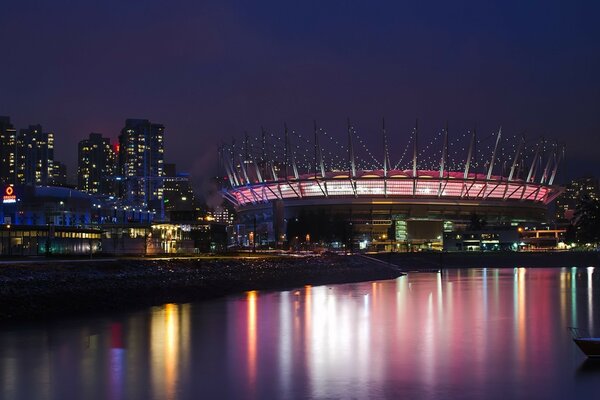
[{"x": 38, "y": 220}]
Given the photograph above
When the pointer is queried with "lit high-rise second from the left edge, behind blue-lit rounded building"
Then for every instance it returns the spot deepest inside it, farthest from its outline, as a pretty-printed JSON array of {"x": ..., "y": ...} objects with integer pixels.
[{"x": 34, "y": 156}]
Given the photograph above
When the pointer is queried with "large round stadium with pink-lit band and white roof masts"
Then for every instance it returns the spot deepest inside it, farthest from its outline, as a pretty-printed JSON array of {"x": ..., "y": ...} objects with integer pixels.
[{"x": 292, "y": 189}]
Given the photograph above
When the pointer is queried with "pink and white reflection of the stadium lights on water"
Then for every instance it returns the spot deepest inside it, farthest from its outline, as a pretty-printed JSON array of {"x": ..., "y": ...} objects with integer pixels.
[{"x": 427, "y": 329}]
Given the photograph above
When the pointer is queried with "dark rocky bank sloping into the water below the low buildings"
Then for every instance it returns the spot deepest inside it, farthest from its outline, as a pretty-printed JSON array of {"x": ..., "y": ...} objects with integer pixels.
[{"x": 34, "y": 291}]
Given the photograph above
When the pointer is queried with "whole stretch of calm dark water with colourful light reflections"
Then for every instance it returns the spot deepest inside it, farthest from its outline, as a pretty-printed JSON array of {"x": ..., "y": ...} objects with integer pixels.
[{"x": 495, "y": 334}]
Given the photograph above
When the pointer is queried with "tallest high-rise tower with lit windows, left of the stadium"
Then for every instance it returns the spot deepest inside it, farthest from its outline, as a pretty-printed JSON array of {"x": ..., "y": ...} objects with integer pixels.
[{"x": 141, "y": 163}]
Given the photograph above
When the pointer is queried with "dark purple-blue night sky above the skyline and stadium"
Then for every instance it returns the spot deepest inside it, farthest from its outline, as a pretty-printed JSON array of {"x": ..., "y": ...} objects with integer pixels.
[{"x": 209, "y": 72}]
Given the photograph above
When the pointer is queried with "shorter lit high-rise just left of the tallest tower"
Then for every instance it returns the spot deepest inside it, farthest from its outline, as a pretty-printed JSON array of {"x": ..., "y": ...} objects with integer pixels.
[{"x": 96, "y": 165}]
